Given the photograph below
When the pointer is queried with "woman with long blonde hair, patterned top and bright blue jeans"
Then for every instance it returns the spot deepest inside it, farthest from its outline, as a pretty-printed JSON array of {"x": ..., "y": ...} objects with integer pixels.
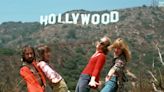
[{"x": 116, "y": 75}]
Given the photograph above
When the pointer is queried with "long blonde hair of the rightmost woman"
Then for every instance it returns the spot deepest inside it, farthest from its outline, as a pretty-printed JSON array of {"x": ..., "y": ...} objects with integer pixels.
[{"x": 120, "y": 43}]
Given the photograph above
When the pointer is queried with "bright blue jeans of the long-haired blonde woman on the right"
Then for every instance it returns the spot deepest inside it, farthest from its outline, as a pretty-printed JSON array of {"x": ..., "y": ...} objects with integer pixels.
[{"x": 111, "y": 85}]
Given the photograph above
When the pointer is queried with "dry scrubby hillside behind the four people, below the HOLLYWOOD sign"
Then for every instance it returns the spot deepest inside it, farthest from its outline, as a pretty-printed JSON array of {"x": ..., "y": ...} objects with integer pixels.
[{"x": 72, "y": 45}]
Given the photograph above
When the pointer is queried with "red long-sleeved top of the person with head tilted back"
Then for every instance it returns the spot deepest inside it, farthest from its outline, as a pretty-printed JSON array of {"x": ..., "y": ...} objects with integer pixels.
[{"x": 95, "y": 65}]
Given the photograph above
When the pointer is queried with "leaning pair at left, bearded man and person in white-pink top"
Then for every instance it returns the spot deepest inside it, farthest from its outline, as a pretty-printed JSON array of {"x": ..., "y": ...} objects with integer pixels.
[{"x": 37, "y": 72}]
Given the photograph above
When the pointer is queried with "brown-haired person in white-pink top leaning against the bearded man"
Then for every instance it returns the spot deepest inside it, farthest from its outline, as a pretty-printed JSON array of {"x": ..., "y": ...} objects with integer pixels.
[{"x": 56, "y": 81}]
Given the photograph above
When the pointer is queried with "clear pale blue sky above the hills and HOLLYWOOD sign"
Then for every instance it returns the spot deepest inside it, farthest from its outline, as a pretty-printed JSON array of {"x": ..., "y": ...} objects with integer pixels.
[{"x": 31, "y": 10}]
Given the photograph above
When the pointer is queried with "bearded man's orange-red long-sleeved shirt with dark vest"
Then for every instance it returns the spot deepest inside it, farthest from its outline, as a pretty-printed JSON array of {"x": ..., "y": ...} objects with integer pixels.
[{"x": 33, "y": 78}]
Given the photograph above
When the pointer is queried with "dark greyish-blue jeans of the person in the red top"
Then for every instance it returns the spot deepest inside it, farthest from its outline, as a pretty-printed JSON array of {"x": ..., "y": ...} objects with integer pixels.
[{"x": 82, "y": 85}]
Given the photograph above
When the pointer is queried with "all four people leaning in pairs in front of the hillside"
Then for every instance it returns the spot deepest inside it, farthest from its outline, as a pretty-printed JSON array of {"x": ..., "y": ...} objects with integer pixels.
[{"x": 36, "y": 71}]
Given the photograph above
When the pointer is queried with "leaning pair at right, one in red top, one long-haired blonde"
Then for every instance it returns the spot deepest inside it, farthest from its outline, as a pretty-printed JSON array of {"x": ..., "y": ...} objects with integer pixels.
[{"x": 89, "y": 77}]
